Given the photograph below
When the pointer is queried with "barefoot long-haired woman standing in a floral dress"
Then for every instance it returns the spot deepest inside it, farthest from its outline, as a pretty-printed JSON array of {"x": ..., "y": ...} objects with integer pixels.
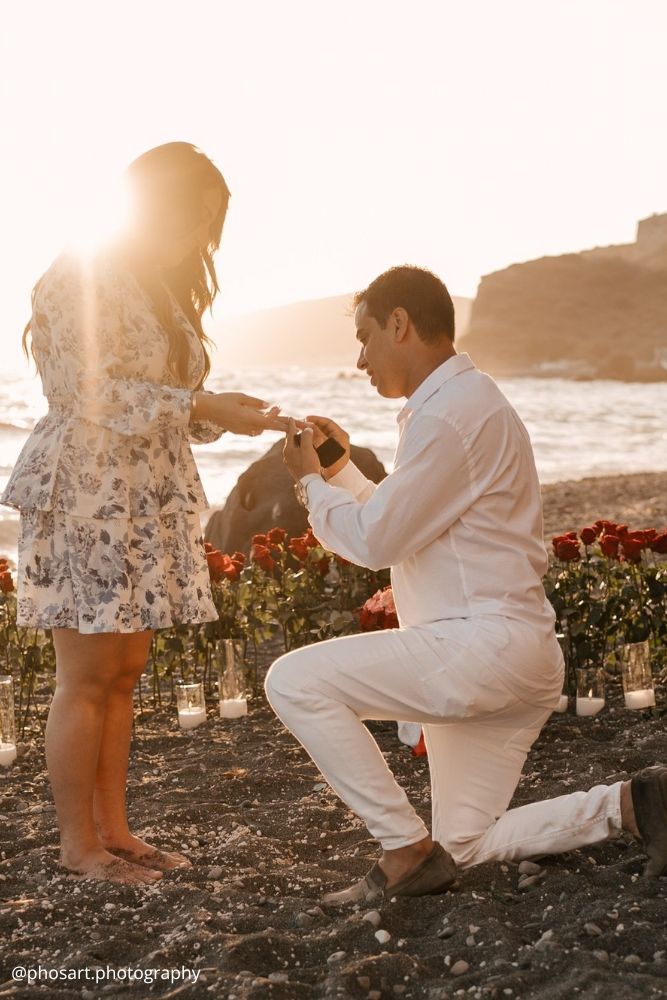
[{"x": 110, "y": 544}]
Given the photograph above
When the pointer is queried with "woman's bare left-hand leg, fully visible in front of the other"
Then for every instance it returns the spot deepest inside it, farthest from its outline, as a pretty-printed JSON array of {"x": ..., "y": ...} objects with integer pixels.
[{"x": 87, "y": 667}]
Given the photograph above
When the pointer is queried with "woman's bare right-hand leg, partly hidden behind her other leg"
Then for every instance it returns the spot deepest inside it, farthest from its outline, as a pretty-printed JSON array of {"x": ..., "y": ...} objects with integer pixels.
[{"x": 110, "y": 808}]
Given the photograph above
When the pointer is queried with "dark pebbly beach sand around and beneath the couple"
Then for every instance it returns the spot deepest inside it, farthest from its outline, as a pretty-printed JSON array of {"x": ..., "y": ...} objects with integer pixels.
[{"x": 267, "y": 838}]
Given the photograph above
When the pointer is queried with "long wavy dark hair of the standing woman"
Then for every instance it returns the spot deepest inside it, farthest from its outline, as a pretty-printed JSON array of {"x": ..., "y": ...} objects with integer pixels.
[{"x": 167, "y": 183}]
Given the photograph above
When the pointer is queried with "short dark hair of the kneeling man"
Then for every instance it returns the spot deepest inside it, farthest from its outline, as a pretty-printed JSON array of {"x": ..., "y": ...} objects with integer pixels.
[{"x": 420, "y": 292}]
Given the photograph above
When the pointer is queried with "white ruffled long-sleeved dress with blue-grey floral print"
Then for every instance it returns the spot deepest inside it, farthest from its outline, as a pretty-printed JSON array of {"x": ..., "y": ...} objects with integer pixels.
[{"x": 109, "y": 494}]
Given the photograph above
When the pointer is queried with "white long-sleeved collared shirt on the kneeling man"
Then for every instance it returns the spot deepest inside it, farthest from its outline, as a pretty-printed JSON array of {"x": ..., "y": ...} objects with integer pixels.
[{"x": 459, "y": 520}]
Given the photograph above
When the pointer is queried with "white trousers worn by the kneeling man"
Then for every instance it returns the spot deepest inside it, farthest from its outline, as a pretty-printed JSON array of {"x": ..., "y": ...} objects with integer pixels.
[{"x": 482, "y": 688}]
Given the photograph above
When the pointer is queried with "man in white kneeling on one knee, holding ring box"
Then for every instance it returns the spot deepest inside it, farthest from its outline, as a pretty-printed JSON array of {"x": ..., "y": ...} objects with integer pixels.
[{"x": 475, "y": 659}]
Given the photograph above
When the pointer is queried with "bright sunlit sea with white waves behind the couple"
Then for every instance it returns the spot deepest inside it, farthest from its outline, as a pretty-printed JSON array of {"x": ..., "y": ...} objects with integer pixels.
[{"x": 578, "y": 429}]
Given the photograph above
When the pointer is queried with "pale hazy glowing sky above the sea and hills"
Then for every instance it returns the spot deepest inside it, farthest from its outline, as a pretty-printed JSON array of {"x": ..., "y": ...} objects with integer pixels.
[{"x": 353, "y": 135}]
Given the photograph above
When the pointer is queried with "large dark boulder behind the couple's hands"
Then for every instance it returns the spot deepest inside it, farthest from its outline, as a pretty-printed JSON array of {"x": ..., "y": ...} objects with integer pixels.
[{"x": 264, "y": 498}]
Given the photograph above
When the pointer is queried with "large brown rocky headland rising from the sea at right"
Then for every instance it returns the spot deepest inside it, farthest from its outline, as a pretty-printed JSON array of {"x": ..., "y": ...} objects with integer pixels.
[{"x": 597, "y": 314}]
